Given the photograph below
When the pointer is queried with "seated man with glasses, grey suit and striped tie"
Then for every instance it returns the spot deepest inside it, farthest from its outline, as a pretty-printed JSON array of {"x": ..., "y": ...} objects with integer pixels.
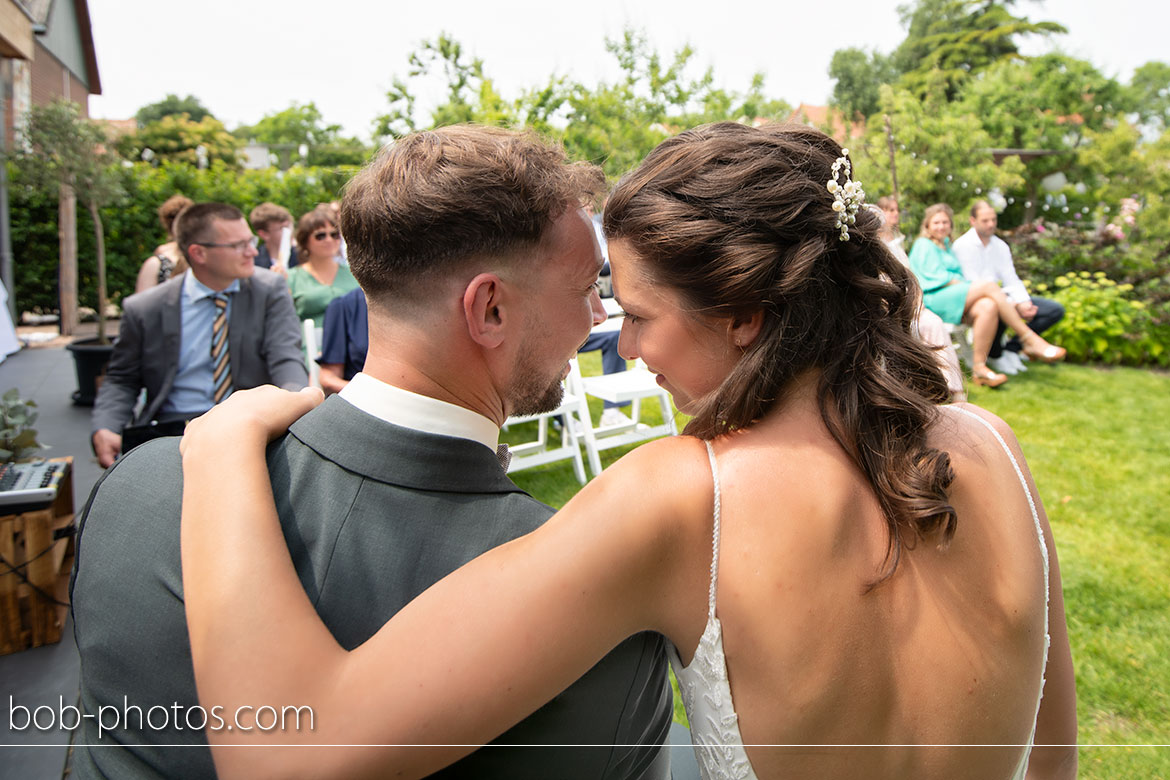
[{"x": 224, "y": 325}]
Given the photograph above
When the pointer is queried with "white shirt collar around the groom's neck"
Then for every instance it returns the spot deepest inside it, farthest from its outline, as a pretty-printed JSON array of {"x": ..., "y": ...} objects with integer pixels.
[{"x": 409, "y": 410}]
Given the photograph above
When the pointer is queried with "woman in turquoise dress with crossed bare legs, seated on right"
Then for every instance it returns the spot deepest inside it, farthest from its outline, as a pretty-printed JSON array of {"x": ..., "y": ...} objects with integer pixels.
[{"x": 980, "y": 305}]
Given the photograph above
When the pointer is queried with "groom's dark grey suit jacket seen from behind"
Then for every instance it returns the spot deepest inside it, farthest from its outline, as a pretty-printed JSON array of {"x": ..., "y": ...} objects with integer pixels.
[{"x": 374, "y": 514}]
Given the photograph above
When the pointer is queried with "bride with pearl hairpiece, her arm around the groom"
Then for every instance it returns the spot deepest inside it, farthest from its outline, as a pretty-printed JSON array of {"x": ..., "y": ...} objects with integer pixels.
[{"x": 858, "y": 583}]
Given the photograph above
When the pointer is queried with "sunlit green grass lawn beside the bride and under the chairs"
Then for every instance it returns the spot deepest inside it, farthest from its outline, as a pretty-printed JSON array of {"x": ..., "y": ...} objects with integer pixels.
[{"x": 1098, "y": 441}]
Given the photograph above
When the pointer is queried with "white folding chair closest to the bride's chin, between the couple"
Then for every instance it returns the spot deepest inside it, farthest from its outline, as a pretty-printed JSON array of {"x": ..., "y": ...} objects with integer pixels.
[{"x": 634, "y": 386}]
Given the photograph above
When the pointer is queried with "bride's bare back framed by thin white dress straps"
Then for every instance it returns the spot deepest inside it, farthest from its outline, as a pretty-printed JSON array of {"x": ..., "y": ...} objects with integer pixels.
[{"x": 818, "y": 658}]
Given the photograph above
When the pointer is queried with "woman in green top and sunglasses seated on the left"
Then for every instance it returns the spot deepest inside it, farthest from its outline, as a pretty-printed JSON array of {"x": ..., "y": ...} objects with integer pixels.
[{"x": 319, "y": 279}]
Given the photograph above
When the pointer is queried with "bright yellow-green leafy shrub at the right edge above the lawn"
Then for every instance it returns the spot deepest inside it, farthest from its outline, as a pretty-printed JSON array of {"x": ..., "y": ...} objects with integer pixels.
[{"x": 1104, "y": 323}]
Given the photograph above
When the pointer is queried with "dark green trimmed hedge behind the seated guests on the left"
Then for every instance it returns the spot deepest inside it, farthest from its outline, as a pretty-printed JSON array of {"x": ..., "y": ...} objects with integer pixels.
[{"x": 133, "y": 230}]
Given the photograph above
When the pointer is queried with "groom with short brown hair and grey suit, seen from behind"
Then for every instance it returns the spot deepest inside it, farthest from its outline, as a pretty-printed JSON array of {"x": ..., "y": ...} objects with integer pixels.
[{"x": 479, "y": 268}]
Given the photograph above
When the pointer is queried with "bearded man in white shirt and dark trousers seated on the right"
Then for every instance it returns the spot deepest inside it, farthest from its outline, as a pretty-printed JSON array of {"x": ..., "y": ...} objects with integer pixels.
[{"x": 983, "y": 256}]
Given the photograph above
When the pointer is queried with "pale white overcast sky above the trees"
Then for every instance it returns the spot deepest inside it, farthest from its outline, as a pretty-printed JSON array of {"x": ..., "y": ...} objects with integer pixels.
[{"x": 244, "y": 59}]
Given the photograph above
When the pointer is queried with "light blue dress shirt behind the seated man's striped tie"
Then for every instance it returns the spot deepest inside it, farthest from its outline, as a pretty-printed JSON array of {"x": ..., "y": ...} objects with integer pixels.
[{"x": 194, "y": 390}]
